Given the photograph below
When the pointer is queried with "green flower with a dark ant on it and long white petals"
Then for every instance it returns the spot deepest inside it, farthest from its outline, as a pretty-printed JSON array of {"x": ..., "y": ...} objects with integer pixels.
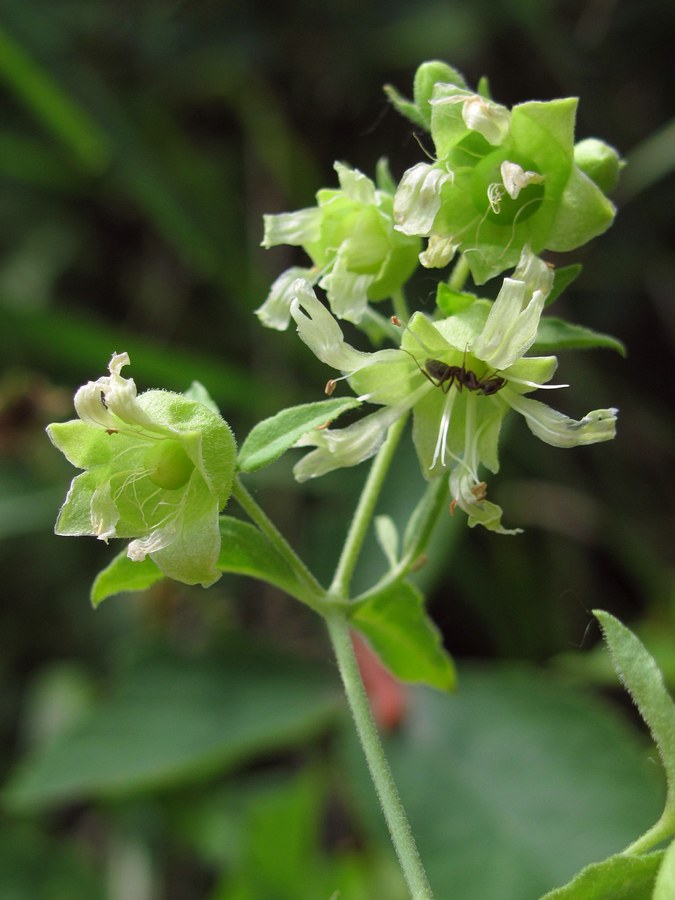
[{"x": 461, "y": 376}]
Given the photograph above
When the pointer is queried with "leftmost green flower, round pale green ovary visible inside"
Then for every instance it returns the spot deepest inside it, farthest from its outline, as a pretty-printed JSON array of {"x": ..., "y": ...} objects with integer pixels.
[{"x": 158, "y": 468}]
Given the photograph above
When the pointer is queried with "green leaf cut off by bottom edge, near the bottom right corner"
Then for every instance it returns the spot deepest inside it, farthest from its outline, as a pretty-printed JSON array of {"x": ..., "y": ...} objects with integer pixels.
[{"x": 617, "y": 878}]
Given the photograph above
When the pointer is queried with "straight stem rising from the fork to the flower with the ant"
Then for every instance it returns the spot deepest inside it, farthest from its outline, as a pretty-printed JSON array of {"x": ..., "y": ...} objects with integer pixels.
[{"x": 364, "y": 512}]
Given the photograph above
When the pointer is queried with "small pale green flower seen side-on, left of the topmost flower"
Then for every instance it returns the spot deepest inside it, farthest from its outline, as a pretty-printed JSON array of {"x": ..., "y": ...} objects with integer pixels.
[{"x": 357, "y": 254}]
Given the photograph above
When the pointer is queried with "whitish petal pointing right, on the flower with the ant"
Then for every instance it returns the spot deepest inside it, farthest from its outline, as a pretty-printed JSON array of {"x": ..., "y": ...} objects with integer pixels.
[{"x": 560, "y": 430}]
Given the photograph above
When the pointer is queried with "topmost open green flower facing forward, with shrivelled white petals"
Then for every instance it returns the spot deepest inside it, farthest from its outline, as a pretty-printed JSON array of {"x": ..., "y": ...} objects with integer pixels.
[{"x": 502, "y": 180}]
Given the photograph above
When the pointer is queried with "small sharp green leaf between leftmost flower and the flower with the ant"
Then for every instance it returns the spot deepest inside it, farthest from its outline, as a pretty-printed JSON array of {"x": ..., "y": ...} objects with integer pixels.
[{"x": 274, "y": 436}]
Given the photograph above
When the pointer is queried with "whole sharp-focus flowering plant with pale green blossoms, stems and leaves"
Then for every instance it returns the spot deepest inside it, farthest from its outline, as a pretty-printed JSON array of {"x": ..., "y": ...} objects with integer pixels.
[{"x": 504, "y": 187}]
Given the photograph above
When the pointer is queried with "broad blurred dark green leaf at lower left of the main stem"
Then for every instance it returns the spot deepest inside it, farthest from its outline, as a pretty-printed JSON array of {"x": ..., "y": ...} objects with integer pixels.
[{"x": 176, "y": 720}]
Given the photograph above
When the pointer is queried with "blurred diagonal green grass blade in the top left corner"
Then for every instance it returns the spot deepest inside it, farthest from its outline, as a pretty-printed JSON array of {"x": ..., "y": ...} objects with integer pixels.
[{"x": 51, "y": 104}]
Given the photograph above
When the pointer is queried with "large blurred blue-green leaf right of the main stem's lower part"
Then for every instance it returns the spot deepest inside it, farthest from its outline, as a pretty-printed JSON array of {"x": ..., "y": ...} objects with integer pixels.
[{"x": 513, "y": 783}]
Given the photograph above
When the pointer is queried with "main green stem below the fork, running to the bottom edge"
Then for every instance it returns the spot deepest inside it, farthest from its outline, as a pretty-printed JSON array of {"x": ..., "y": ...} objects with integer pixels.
[{"x": 394, "y": 812}]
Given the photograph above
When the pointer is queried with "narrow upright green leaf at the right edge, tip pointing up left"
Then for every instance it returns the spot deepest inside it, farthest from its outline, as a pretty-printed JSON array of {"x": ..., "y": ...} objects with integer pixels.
[{"x": 644, "y": 682}]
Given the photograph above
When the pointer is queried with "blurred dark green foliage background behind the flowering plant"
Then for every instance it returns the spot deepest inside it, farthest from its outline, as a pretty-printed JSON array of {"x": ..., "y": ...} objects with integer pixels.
[{"x": 186, "y": 744}]
